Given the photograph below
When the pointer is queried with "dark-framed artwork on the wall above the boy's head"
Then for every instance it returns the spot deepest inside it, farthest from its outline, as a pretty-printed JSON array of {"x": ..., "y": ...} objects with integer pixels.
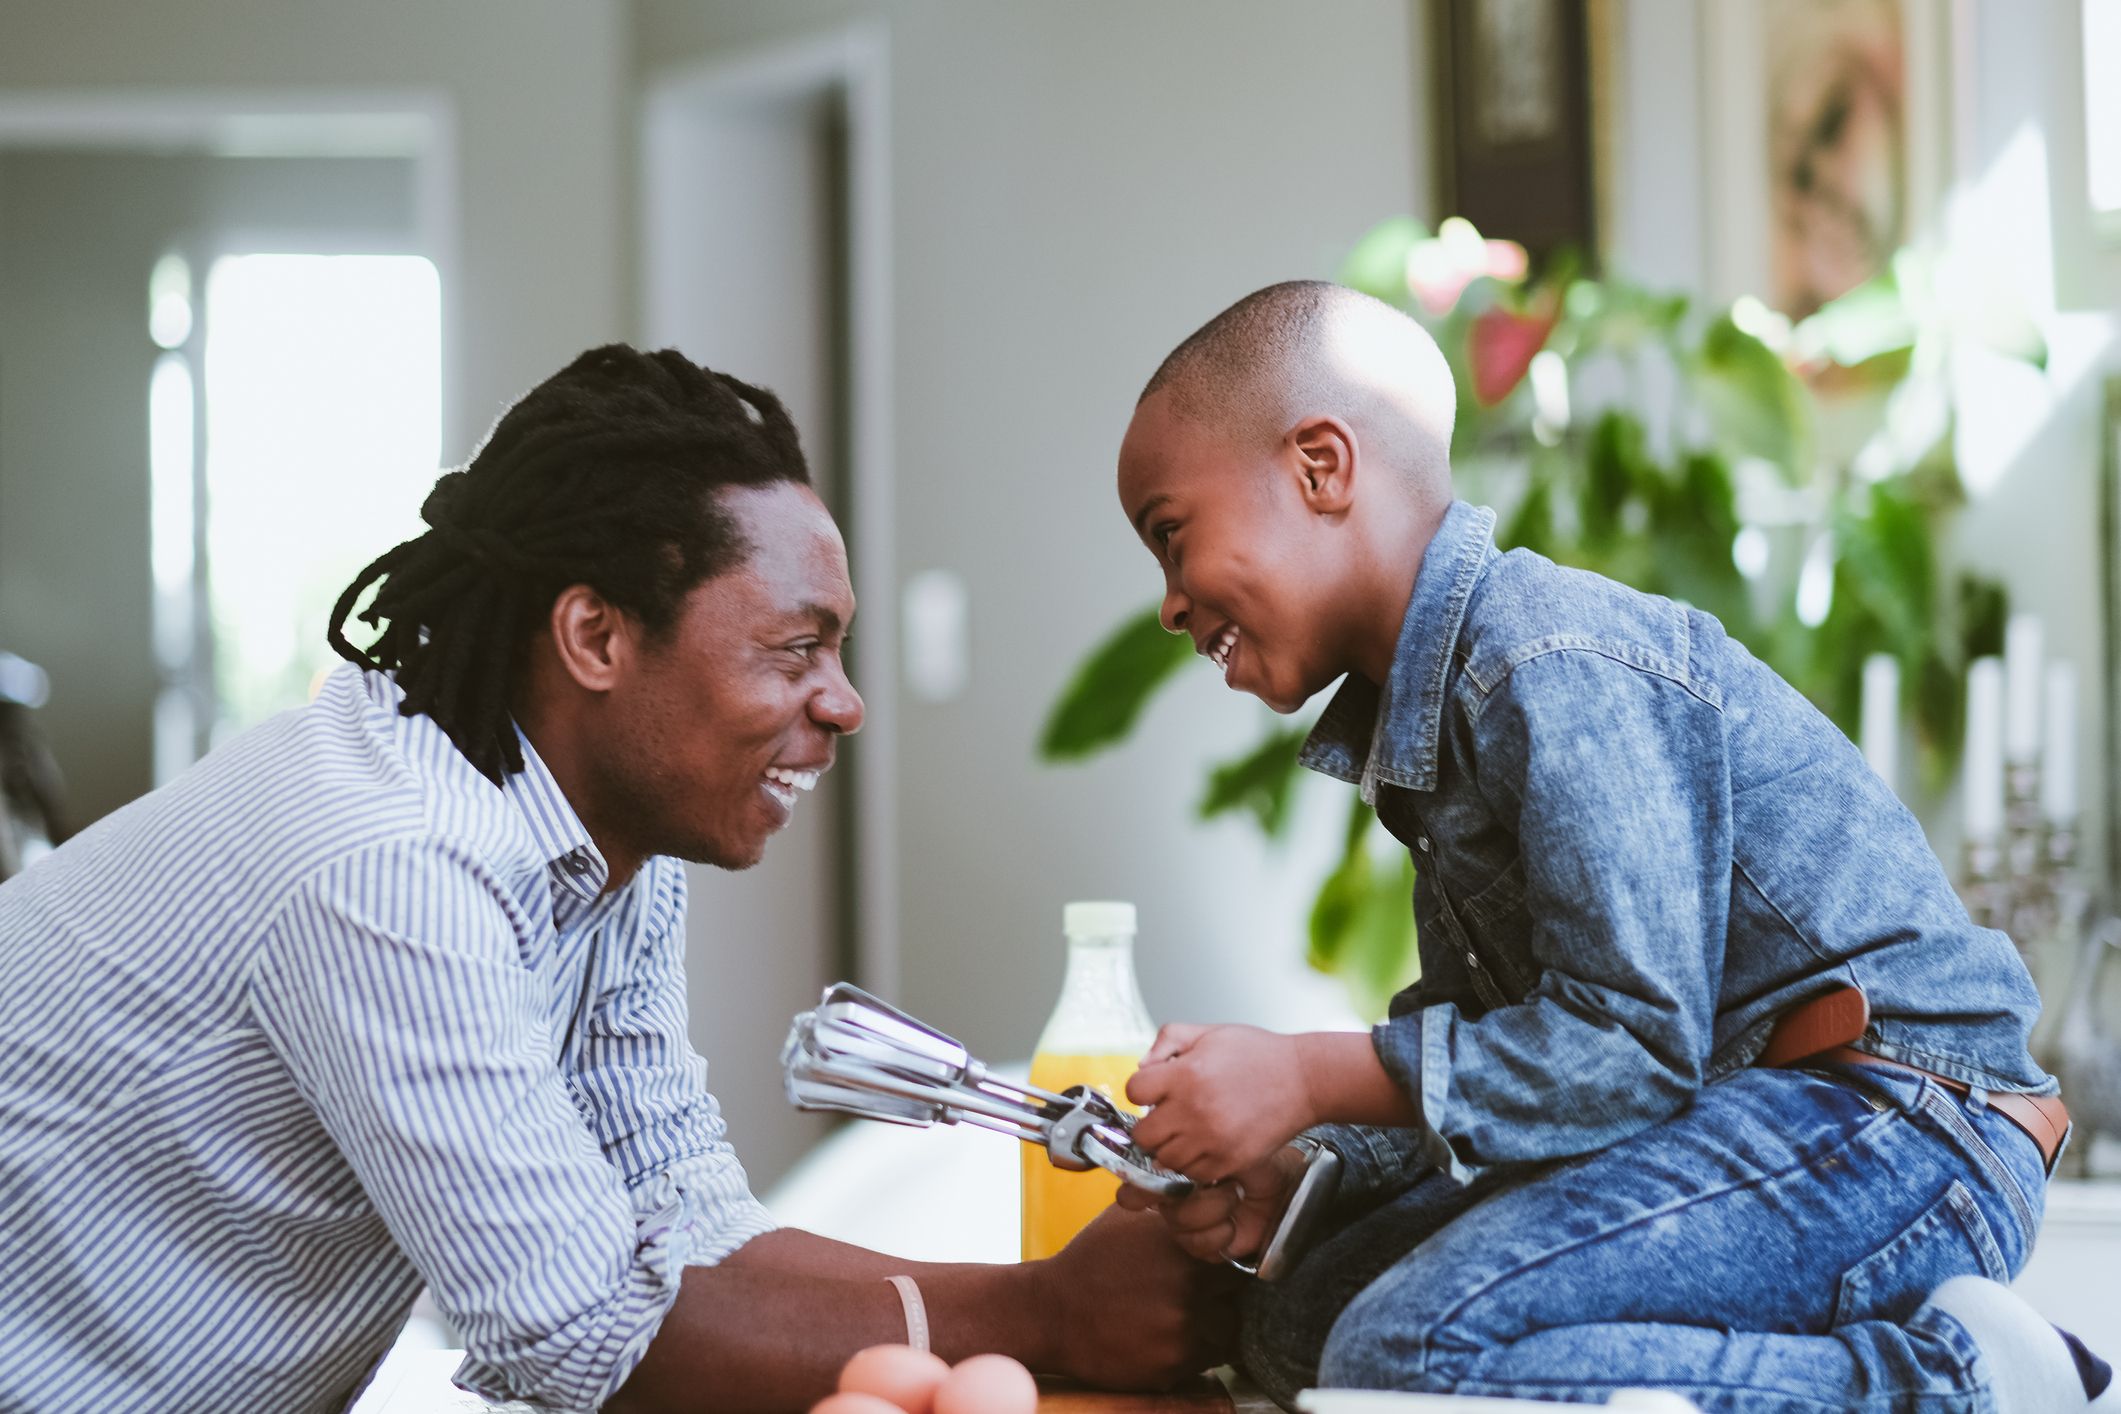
[{"x": 1515, "y": 145}]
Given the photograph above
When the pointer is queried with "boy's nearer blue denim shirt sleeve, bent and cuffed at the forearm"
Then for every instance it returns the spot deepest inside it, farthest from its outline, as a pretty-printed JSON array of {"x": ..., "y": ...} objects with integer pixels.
[{"x": 1615, "y": 781}]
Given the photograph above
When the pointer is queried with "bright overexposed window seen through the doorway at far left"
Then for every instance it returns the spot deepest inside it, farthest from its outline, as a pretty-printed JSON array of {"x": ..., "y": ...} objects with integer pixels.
[{"x": 321, "y": 395}]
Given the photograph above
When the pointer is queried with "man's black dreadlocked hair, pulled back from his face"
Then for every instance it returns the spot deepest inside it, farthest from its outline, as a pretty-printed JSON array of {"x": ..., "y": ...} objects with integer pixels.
[{"x": 606, "y": 476}]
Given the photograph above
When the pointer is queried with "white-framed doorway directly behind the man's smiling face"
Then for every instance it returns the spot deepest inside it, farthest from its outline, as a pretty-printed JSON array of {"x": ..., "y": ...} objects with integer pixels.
[{"x": 765, "y": 255}]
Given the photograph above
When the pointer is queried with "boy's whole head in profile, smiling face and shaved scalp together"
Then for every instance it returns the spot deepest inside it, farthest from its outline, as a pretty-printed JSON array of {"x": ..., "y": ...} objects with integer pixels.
[{"x": 1289, "y": 465}]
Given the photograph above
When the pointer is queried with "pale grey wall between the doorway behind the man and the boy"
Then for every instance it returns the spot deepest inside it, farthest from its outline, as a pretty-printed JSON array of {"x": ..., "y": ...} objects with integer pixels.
[{"x": 1074, "y": 190}]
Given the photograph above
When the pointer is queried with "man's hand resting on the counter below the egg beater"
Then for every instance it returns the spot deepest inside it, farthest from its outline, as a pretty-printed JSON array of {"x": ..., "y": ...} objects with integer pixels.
[{"x": 1132, "y": 1311}]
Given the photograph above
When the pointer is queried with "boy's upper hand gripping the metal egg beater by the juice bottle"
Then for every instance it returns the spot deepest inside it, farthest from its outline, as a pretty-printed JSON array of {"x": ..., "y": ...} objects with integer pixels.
[{"x": 1223, "y": 1099}]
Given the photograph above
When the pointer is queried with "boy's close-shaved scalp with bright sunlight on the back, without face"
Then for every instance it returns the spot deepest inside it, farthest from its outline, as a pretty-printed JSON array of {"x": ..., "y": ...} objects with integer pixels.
[{"x": 1308, "y": 347}]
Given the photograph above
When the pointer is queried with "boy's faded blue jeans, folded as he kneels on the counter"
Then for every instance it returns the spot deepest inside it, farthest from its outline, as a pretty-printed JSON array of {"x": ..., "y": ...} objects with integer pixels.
[{"x": 1770, "y": 1250}]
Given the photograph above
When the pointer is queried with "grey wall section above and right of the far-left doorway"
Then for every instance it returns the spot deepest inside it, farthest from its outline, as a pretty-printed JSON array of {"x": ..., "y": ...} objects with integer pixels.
[{"x": 540, "y": 94}]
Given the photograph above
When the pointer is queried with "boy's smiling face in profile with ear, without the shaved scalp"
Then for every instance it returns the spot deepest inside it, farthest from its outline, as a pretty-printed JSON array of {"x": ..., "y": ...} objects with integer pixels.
[{"x": 1246, "y": 540}]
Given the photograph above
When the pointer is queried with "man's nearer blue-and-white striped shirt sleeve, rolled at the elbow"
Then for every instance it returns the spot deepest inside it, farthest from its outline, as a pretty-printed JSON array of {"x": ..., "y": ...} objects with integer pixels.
[{"x": 396, "y": 995}]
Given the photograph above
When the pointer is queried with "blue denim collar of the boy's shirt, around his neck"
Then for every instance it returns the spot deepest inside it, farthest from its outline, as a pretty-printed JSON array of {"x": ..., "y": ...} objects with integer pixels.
[{"x": 1401, "y": 724}]
